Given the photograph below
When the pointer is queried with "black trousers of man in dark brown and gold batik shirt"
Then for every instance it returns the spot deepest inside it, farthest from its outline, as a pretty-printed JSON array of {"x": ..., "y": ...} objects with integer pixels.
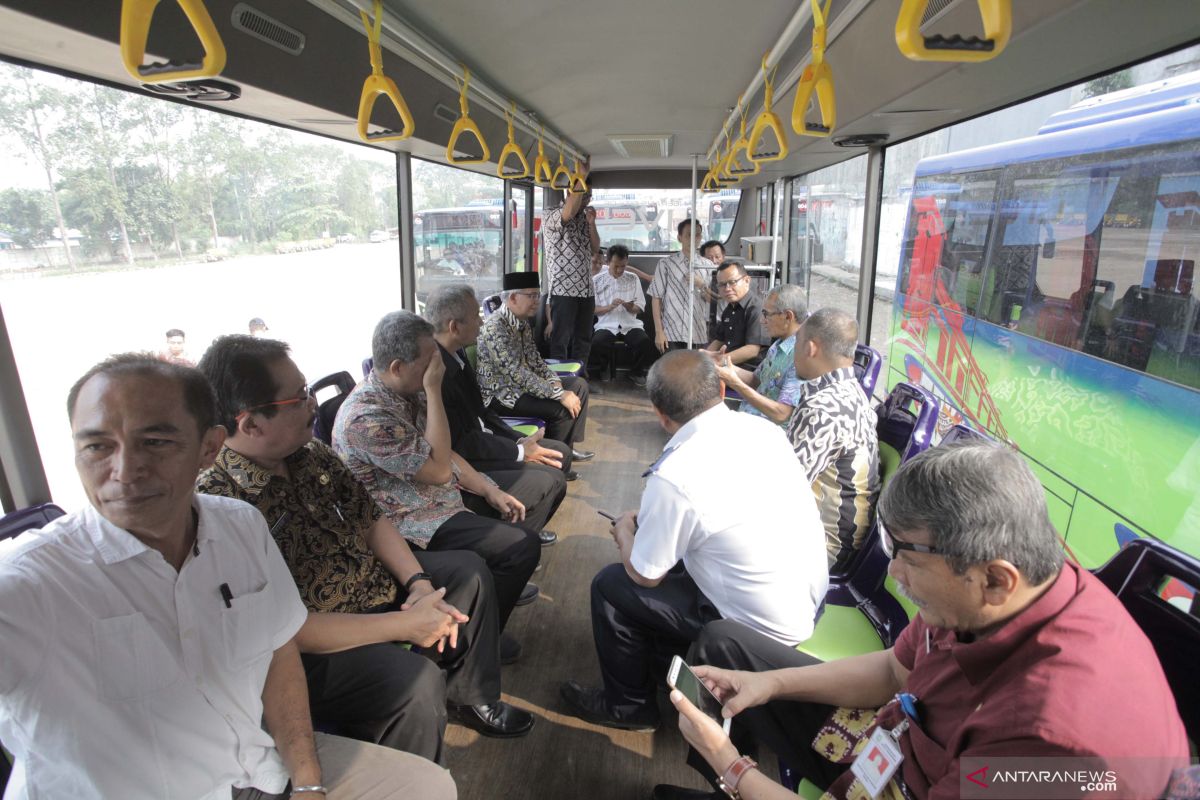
[{"x": 392, "y": 696}]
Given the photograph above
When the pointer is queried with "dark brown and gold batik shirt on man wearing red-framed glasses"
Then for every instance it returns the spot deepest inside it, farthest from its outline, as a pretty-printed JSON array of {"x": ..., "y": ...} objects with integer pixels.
[{"x": 319, "y": 518}]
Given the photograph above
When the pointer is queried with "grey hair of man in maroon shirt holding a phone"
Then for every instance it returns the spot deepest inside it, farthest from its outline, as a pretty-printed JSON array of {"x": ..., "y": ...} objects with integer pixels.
[{"x": 981, "y": 502}]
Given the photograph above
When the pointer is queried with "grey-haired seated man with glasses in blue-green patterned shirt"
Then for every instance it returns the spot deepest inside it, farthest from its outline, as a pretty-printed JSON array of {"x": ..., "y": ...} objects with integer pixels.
[{"x": 773, "y": 388}]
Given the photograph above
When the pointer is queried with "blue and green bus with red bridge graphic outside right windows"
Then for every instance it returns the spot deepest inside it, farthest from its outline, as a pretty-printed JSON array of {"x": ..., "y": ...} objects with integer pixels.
[{"x": 1047, "y": 294}]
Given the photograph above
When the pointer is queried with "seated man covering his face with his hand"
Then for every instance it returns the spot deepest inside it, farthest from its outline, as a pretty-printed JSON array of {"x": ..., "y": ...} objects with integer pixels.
[{"x": 393, "y": 434}]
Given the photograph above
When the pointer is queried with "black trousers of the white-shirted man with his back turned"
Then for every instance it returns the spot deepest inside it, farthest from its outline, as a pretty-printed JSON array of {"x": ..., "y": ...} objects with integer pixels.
[{"x": 638, "y": 630}]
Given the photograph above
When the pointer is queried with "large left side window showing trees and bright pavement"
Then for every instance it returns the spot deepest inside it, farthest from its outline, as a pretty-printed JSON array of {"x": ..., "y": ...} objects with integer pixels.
[{"x": 125, "y": 218}]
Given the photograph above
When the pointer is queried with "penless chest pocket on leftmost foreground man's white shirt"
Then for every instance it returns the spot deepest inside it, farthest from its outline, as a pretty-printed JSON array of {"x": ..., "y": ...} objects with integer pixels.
[{"x": 131, "y": 660}]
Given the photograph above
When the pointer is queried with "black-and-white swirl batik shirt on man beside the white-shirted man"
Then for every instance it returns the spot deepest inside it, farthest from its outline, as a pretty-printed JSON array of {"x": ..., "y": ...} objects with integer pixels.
[{"x": 833, "y": 435}]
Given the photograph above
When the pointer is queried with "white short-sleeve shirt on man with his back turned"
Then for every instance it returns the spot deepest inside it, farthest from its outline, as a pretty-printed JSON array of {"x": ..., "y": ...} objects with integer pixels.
[{"x": 729, "y": 500}]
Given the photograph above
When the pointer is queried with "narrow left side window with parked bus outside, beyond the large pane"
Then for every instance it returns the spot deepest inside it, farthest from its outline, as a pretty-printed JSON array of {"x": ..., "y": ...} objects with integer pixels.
[{"x": 458, "y": 228}]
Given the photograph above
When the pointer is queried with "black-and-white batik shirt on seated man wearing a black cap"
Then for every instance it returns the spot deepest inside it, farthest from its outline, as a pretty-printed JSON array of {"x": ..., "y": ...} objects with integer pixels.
[{"x": 509, "y": 363}]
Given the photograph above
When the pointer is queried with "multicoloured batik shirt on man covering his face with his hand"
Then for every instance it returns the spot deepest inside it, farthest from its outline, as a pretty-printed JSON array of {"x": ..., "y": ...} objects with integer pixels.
[{"x": 381, "y": 437}]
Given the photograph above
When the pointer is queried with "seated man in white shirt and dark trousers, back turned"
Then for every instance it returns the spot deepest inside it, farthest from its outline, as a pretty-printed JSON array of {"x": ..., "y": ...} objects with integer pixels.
[{"x": 760, "y": 564}]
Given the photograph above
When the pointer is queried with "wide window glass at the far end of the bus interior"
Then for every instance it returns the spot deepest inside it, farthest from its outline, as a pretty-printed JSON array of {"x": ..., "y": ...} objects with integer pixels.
[{"x": 646, "y": 220}]
